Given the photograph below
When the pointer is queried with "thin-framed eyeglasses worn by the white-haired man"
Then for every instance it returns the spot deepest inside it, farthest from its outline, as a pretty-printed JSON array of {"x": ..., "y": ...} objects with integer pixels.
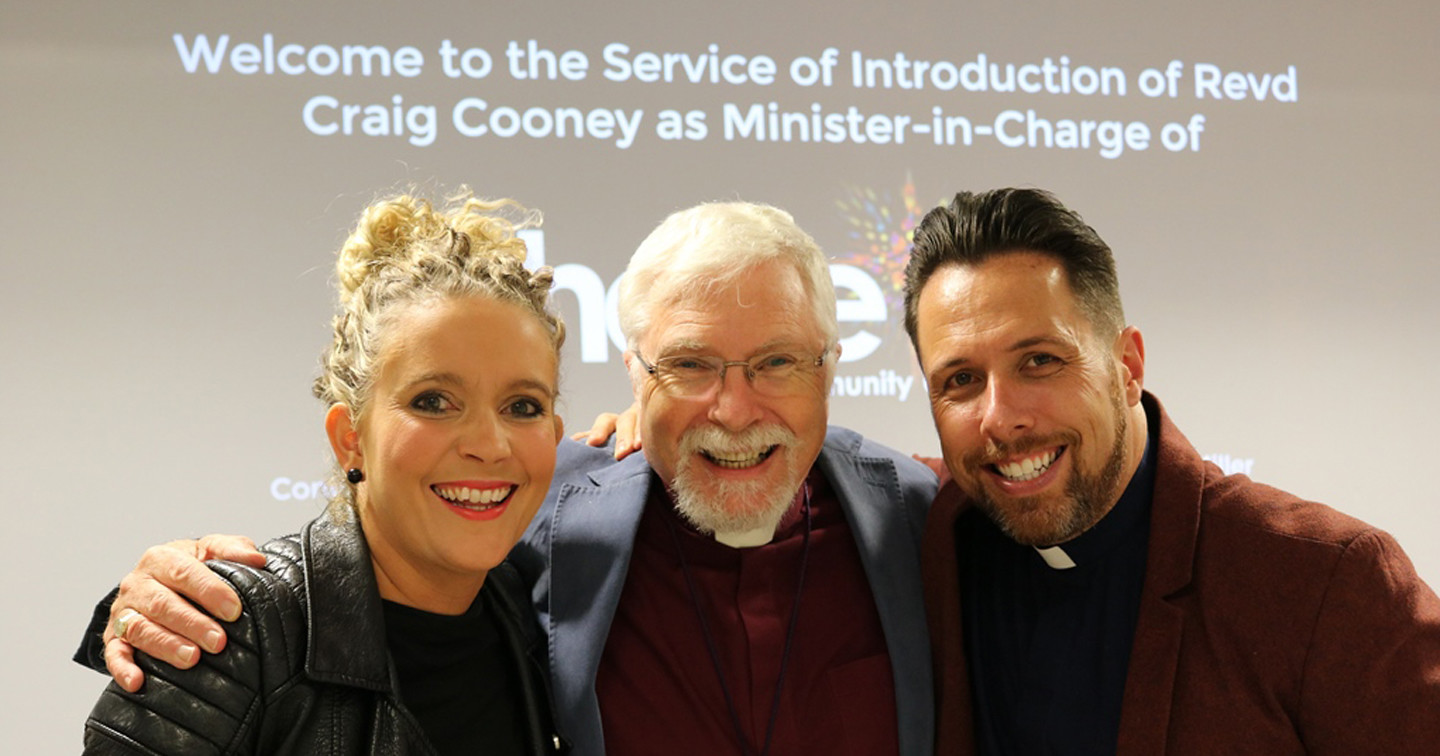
[{"x": 777, "y": 374}]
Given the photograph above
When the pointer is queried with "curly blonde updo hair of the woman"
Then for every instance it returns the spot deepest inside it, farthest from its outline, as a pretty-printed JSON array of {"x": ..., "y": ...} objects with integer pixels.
[{"x": 407, "y": 251}]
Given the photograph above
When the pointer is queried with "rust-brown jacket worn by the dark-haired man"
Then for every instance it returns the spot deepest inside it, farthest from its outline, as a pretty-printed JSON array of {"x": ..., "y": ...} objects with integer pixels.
[{"x": 1268, "y": 626}]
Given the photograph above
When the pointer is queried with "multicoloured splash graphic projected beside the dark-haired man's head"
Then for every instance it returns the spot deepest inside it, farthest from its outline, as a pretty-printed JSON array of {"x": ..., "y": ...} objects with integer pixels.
[{"x": 881, "y": 230}]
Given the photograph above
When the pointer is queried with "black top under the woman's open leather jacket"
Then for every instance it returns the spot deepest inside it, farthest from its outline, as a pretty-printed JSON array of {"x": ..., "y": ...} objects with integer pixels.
[{"x": 457, "y": 678}]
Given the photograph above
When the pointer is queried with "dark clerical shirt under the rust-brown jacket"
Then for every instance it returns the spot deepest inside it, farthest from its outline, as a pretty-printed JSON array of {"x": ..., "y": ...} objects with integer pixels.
[{"x": 1049, "y": 649}]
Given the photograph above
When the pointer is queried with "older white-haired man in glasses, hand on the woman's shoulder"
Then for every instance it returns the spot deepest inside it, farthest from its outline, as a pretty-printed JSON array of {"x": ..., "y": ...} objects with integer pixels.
[{"x": 752, "y": 582}]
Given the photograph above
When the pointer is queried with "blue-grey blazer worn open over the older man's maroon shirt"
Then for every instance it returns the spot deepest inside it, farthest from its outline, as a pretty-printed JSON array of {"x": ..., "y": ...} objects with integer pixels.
[{"x": 577, "y": 555}]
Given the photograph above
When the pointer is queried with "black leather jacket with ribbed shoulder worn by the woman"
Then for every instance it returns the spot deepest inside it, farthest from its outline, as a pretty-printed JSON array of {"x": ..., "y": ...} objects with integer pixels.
[{"x": 306, "y": 669}]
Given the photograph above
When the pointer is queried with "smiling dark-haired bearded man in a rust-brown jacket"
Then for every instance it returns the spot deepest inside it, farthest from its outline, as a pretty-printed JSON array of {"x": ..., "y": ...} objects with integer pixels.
[{"x": 1092, "y": 585}]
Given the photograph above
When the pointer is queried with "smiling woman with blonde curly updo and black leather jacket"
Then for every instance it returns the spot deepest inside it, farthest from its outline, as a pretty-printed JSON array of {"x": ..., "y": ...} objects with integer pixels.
[{"x": 392, "y": 624}]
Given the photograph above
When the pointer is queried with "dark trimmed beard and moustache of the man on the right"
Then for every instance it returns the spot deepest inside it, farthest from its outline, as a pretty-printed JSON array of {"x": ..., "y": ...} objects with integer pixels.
[{"x": 1088, "y": 496}]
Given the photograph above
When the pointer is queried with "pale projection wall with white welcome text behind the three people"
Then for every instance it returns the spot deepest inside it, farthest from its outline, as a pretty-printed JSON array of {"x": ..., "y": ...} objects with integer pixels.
[{"x": 178, "y": 175}]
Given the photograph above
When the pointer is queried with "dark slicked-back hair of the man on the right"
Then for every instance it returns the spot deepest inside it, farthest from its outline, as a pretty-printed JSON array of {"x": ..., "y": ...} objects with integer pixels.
[{"x": 976, "y": 228}]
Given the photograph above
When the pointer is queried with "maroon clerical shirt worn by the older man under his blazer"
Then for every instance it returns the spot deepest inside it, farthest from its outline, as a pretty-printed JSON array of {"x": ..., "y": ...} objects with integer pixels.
[{"x": 657, "y": 685}]
